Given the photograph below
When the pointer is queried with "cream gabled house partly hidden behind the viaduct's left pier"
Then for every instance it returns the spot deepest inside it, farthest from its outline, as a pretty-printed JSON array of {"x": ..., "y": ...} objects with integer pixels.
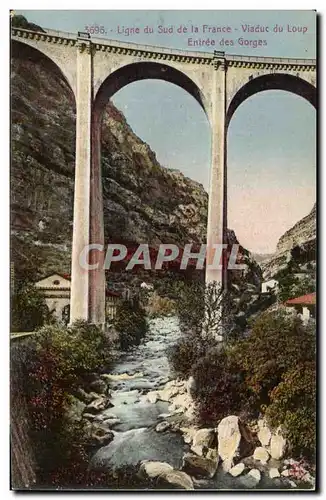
[{"x": 56, "y": 291}]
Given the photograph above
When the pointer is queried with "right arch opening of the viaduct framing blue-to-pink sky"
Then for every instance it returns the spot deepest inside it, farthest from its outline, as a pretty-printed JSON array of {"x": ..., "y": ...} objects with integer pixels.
[{"x": 271, "y": 159}]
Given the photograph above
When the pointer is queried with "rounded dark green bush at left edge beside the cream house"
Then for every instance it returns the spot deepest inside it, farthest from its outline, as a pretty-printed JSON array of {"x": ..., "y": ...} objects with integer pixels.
[{"x": 28, "y": 309}]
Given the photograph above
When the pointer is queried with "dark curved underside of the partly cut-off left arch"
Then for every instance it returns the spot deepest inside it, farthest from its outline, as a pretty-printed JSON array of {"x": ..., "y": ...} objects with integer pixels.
[{"x": 20, "y": 50}]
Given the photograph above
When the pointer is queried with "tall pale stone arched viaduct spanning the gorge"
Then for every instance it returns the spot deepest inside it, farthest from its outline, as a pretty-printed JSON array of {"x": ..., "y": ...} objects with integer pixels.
[{"x": 95, "y": 69}]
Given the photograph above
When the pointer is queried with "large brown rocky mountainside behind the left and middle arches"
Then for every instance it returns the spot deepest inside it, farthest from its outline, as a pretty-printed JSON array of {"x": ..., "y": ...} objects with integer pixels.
[{"x": 143, "y": 202}]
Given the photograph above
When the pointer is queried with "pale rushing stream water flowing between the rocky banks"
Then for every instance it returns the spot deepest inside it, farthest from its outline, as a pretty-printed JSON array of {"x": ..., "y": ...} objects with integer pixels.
[{"x": 142, "y": 369}]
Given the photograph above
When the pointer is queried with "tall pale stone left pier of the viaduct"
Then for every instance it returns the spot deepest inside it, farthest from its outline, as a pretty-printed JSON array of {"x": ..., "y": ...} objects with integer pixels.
[{"x": 87, "y": 298}]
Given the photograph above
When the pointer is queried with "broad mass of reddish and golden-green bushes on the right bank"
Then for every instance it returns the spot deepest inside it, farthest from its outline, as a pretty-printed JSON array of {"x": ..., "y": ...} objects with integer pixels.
[{"x": 271, "y": 370}]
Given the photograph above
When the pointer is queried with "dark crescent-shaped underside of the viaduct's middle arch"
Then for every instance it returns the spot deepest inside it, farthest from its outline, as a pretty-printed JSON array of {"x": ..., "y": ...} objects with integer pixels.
[{"x": 144, "y": 71}]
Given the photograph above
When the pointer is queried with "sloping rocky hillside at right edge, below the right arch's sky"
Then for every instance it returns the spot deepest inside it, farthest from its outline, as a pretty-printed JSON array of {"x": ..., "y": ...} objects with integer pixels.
[{"x": 297, "y": 244}]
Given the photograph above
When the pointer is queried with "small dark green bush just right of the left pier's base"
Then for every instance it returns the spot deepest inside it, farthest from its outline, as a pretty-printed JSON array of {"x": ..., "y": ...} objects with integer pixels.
[{"x": 131, "y": 323}]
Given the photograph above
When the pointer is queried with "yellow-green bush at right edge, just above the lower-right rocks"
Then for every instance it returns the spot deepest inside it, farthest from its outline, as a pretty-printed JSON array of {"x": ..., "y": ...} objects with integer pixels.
[{"x": 293, "y": 404}]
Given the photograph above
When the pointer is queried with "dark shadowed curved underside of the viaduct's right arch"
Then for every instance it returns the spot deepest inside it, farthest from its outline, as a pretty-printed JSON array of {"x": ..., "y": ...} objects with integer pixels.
[{"x": 274, "y": 81}]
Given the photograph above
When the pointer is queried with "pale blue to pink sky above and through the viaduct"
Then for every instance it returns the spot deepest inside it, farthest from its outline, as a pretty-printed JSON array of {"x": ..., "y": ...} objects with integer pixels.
[{"x": 271, "y": 137}]
